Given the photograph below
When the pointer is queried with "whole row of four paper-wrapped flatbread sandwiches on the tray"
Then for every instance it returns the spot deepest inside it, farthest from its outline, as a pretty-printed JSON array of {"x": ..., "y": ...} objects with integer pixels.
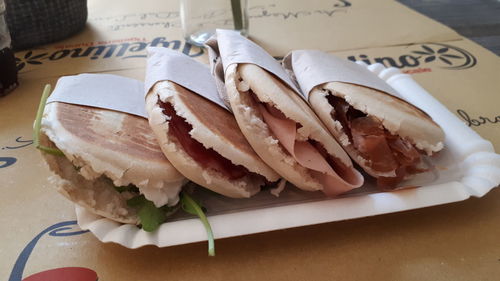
[{"x": 253, "y": 128}]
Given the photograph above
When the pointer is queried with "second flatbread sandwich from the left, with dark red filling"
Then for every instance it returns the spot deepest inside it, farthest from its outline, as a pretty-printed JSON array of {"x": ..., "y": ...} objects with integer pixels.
[{"x": 199, "y": 137}]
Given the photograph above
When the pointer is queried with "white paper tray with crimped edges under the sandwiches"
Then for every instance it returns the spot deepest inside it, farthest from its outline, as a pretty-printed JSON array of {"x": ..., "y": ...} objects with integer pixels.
[{"x": 468, "y": 166}]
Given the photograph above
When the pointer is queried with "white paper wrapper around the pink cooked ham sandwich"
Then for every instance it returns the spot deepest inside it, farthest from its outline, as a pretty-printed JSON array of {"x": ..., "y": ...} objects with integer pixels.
[{"x": 229, "y": 47}]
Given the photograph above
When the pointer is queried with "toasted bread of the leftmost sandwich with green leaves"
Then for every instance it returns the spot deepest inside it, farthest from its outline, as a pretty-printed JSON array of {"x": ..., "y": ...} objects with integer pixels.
[{"x": 110, "y": 149}]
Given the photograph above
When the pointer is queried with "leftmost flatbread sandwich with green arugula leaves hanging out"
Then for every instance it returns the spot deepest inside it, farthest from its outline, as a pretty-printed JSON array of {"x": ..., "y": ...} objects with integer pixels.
[{"x": 105, "y": 160}]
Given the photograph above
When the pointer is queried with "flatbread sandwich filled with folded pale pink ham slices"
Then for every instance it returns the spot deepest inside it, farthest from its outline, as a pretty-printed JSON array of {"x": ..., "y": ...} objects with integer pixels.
[{"x": 279, "y": 124}]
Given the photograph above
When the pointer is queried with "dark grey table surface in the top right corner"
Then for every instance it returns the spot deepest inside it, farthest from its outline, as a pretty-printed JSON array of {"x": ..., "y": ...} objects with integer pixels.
[{"x": 478, "y": 20}]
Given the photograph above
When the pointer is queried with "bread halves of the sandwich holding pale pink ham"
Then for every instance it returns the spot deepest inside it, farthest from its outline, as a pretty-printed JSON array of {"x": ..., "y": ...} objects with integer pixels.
[{"x": 270, "y": 90}]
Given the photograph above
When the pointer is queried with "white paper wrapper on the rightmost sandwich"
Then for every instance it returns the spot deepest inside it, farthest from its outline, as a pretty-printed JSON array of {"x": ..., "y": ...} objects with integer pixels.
[{"x": 312, "y": 68}]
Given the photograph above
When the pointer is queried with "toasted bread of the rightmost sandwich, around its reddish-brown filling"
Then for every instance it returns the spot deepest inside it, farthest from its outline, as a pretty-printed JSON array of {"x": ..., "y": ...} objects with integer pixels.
[{"x": 397, "y": 116}]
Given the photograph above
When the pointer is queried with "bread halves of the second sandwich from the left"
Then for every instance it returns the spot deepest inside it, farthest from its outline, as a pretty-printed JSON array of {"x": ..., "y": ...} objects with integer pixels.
[{"x": 215, "y": 128}]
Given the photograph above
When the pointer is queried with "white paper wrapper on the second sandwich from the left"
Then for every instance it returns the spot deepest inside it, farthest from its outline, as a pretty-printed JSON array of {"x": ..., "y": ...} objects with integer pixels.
[{"x": 166, "y": 64}]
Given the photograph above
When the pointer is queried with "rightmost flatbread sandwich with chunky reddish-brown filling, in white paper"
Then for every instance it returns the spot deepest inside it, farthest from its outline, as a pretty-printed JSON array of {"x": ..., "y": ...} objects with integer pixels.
[{"x": 387, "y": 136}]
